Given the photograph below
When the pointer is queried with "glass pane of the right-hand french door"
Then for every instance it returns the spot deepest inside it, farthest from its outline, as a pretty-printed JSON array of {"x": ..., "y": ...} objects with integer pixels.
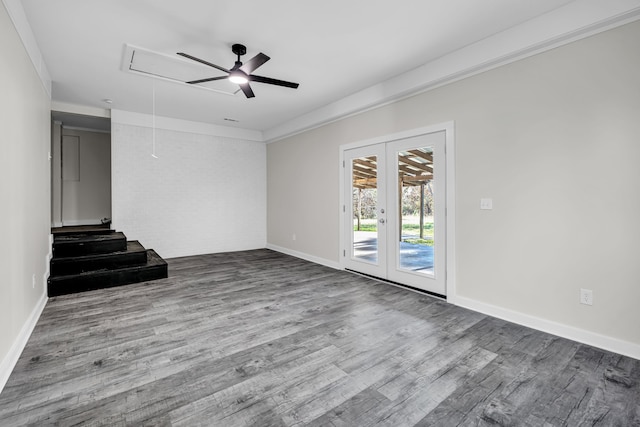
[{"x": 415, "y": 234}]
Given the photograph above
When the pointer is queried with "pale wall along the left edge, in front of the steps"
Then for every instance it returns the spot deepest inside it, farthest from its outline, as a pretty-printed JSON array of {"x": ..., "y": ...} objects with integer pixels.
[{"x": 25, "y": 195}]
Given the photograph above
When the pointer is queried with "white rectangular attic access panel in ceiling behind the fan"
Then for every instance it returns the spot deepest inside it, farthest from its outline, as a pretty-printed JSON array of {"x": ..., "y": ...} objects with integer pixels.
[{"x": 152, "y": 64}]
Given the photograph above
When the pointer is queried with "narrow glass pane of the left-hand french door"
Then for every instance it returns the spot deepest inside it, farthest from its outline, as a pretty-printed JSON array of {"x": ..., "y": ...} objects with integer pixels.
[{"x": 364, "y": 190}]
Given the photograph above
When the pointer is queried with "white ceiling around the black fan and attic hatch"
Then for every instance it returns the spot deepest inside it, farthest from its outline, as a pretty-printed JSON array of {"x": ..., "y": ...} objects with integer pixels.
[{"x": 335, "y": 49}]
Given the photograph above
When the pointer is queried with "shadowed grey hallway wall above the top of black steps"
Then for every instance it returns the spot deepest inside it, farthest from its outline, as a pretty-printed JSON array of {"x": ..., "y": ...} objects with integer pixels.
[{"x": 87, "y": 200}]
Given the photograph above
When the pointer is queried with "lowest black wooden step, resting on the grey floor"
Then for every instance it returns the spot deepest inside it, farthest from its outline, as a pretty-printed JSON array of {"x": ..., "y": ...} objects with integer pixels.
[{"x": 155, "y": 268}]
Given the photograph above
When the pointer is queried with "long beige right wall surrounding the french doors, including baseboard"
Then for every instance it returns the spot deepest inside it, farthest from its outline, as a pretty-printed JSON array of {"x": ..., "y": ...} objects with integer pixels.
[{"x": 553, "y": 139}]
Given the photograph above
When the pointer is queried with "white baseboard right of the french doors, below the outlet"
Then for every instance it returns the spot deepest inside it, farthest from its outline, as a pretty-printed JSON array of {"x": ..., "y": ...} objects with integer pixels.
[{"x": 615, "y": 345}]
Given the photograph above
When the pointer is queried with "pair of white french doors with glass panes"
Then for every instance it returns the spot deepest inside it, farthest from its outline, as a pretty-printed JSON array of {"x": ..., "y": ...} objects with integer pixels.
[{"x": 394, "y": 212}]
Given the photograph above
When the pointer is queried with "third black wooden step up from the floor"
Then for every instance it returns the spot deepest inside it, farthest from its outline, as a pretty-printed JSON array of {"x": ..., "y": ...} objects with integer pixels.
[{"x": 88, "y": 244}]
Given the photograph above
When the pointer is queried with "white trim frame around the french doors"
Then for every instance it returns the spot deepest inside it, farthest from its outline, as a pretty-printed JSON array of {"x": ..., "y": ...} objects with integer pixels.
[{"x": 450, "y": 194}]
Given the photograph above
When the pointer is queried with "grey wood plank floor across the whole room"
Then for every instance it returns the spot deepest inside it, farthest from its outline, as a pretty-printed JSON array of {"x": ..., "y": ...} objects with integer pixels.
[{"x": 260, "y": 338}]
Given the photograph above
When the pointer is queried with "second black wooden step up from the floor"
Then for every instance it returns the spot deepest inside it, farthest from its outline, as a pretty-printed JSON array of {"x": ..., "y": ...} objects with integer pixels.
[{"x": 135, "y": 254}]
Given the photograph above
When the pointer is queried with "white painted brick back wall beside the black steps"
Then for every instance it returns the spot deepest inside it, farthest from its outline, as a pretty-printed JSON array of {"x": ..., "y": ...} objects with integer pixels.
[{"x": 202, "y": 194}]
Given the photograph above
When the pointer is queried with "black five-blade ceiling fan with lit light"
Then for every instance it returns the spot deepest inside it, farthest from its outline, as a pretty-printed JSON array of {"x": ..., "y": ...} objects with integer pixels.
[{"x": 241, "y": 73}]
